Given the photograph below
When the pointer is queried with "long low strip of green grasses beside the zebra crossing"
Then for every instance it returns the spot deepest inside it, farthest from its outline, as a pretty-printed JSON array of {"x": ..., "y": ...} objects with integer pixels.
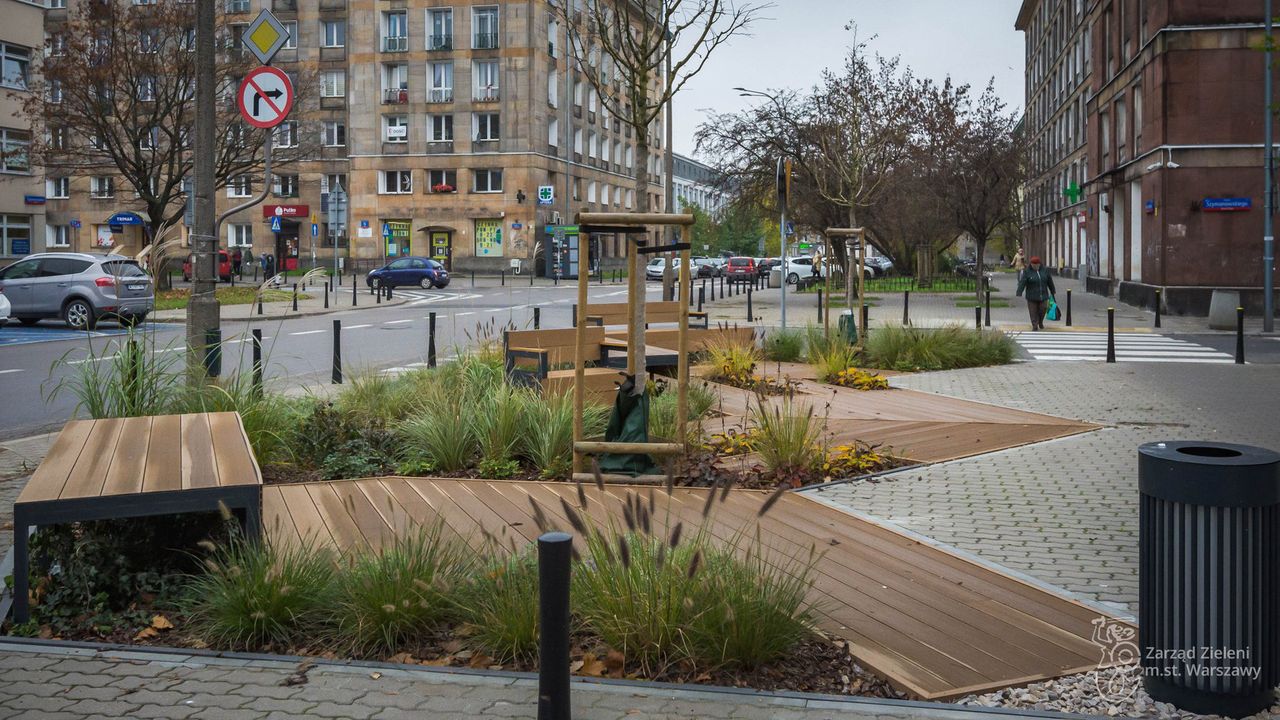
[{"x": 938, "y": 349}]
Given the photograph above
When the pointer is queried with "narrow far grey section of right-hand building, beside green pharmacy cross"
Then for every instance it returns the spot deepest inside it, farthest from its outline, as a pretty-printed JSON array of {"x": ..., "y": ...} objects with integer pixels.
[{"x": 1058, "y": 85}]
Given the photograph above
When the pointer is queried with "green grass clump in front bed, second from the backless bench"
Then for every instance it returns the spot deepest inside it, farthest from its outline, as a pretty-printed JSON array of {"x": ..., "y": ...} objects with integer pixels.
[{"x": 392, "y": 598}]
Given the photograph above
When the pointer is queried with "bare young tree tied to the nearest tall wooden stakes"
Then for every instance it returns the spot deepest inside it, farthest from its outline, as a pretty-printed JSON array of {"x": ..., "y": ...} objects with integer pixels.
[{"x": 638, "y": 56}]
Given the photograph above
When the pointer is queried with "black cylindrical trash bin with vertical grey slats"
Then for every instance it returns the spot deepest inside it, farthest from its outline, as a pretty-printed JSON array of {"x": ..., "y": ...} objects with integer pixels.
[{"x": 1209, "y": 625}]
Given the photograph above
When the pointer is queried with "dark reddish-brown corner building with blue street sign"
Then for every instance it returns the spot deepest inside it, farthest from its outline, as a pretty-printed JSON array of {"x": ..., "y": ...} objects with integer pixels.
[{"x": 1173, "y": 184}]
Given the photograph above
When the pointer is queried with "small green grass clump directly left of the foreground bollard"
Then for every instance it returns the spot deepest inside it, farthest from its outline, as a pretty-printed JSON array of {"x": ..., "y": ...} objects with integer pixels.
[{"x": 501, "y": 605}]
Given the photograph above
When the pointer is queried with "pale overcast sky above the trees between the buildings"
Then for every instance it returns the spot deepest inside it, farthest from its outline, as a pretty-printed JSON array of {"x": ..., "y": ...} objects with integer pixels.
[{"x": 971, "y": 40}]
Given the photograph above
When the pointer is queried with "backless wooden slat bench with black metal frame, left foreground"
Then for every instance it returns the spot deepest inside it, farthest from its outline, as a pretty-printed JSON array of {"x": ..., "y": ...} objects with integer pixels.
[{"x": 134, "y": 468}]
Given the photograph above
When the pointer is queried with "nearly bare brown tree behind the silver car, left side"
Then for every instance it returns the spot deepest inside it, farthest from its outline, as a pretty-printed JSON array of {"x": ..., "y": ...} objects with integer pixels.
[{"x": 116, "y": 95}]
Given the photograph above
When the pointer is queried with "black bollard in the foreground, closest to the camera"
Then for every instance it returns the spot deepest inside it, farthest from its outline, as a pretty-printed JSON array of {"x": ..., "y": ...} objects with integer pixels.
[{"x": 555, "y": 553}]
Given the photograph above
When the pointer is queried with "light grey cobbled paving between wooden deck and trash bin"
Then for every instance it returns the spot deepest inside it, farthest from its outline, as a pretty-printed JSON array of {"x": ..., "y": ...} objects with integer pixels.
[{"x": 1066, "y": 512}]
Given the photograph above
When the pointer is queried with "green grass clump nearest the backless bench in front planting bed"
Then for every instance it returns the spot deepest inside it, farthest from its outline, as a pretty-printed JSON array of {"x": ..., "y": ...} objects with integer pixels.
[{"x": 257, "y": 594}]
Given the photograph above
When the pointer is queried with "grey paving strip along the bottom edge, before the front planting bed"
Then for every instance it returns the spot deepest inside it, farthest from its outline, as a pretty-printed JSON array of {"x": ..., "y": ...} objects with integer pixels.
[{"x": 80, "y": 685}]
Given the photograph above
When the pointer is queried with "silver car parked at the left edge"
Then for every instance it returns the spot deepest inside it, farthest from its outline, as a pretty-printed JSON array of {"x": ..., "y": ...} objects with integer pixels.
[{"x": 79, "y": 288}]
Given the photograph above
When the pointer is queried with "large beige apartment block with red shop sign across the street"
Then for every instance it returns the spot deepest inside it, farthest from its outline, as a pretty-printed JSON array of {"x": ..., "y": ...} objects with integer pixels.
[{"x": 440, "y": 121}]
